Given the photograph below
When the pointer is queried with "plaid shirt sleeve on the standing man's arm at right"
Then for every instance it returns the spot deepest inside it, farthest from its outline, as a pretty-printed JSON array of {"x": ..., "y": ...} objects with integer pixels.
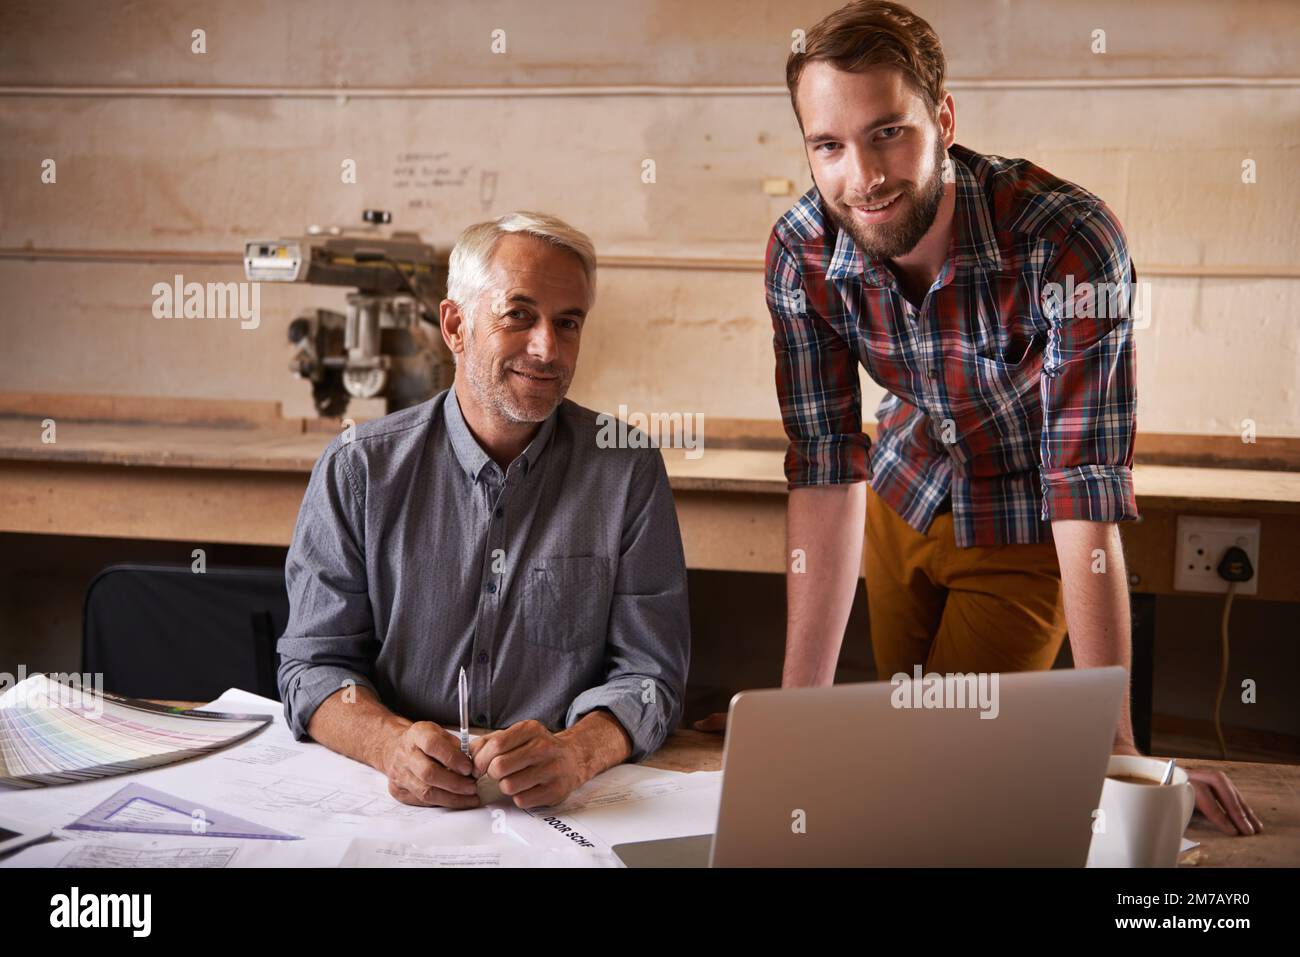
[{"x": 1089, "y": 384}]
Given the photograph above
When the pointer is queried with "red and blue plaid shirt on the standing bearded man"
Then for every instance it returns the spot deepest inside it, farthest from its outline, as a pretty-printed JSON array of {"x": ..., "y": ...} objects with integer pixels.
[{"x": 1013, "y": 387}]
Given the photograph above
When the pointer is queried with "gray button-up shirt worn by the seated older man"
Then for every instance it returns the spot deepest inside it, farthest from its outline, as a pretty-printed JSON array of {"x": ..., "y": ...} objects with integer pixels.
[{"x": 558, "y": 584}]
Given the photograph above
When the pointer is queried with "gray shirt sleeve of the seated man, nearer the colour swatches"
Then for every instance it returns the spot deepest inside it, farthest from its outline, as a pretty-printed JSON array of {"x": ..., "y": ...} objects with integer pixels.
[{"x": 330, "y": 642}]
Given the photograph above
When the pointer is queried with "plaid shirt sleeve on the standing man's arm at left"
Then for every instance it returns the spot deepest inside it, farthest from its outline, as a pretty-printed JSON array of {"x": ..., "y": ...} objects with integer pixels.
[{"x": 817, "y": 380}]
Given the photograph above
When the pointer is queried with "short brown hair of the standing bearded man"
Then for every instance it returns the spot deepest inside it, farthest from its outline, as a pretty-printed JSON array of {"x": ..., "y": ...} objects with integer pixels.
[{"x": 874, "y": 33}]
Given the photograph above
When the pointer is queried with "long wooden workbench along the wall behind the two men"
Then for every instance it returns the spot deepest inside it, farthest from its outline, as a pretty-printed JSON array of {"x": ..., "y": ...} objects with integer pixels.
[{"x": 128, "y": 470}]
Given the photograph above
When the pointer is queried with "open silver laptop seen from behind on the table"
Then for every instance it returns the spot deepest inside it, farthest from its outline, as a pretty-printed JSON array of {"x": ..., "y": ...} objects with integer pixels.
[{"x": 877, "y": 776}]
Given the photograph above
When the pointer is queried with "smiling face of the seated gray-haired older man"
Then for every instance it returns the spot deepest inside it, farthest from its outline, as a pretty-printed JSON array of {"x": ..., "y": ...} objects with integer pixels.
[{"x": 521, "y": 356}]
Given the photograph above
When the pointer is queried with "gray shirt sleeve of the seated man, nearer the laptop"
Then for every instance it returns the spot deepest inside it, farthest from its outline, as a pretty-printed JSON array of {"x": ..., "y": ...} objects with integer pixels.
[{"x": 648, "y": 644}]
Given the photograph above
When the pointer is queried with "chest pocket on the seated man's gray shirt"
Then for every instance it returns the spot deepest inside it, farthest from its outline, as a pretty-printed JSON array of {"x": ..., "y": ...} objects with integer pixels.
[{"x": 566, "y": 603}]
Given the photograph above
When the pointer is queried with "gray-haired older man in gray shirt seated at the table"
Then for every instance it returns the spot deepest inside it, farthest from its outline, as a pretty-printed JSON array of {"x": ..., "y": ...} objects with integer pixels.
[{"x": 487, "y": 530}]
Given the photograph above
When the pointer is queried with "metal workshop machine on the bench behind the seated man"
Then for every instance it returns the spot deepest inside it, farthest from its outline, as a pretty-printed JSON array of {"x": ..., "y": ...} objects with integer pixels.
[{"x": 388, "y": 345}]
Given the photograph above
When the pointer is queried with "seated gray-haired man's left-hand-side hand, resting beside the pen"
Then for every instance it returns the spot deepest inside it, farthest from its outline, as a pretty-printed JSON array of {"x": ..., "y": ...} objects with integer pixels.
[{"x": 426, "y": 767}]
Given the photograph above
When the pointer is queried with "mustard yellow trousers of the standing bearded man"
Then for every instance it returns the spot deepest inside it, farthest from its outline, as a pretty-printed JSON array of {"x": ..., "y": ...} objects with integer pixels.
[{"x": 957, "y": 610}]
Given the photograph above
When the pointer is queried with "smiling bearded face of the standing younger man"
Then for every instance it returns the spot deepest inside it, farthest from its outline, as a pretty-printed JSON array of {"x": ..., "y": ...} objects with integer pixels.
[{"x": 877, "y": 154}]
